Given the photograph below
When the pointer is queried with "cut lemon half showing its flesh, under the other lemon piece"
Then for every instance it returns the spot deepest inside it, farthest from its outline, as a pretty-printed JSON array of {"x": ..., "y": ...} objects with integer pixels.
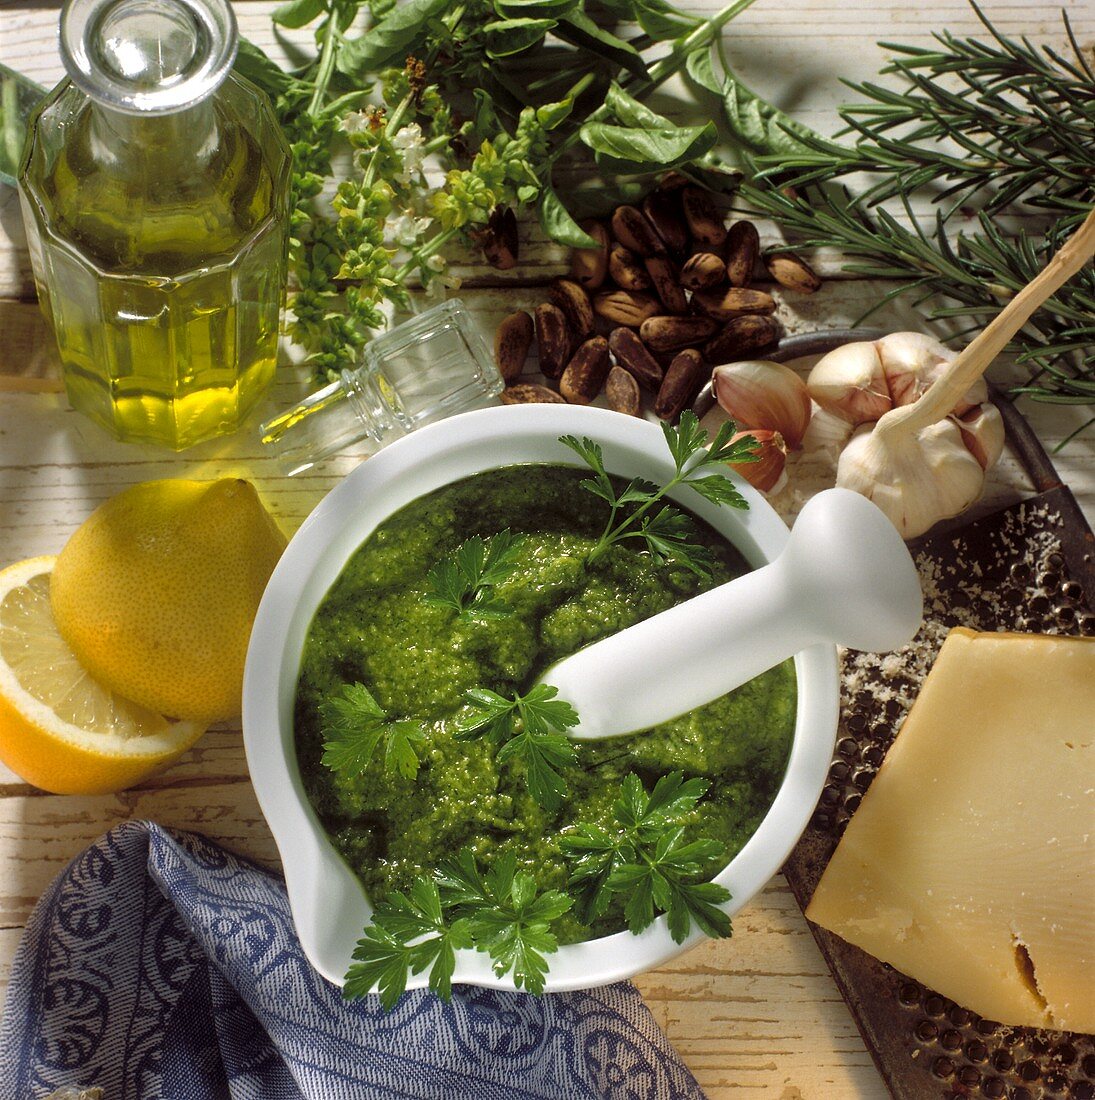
[{"x": 60, "y": 729}]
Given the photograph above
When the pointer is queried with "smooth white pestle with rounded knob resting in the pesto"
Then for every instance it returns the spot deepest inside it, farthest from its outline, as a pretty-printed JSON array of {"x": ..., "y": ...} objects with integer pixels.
[{"x": 845, "y": 577}]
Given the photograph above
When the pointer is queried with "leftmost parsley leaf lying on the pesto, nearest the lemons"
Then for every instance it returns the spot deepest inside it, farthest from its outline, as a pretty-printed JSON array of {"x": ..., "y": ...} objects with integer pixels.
[{"x": 354, "y": 724}]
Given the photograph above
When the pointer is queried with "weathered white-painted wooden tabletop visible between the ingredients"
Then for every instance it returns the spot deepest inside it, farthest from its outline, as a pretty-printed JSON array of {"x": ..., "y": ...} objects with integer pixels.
[{"x": 755, "y": 1016}]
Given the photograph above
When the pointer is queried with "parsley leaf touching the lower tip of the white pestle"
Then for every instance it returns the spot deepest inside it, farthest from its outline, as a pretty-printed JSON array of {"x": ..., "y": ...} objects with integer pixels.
[{"x": 531, "y": 729}]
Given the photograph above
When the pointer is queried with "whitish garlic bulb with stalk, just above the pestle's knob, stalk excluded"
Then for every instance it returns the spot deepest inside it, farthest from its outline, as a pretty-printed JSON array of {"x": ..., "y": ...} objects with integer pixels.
[{"x": 916, "y": 478}]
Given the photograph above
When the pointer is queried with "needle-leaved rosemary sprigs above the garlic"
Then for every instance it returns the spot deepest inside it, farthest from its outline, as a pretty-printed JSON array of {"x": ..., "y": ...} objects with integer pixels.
[{"x": 981, "y": 129}]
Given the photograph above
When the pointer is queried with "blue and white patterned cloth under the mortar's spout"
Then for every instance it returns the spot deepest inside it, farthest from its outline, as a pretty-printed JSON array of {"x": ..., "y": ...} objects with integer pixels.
[{"x": 161, "y": 967}]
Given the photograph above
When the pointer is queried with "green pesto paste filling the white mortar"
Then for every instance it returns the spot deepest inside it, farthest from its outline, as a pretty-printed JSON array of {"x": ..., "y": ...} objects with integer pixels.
[{"x": 375, "y": 628}]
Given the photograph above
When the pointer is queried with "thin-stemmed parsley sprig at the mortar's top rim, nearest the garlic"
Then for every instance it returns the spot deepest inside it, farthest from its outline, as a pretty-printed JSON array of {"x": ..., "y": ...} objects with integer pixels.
[{"x": 667, "y": 531}]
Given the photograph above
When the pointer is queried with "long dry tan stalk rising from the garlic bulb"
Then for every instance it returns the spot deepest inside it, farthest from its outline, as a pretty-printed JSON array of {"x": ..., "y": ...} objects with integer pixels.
[{"x": 949, "y": 389}]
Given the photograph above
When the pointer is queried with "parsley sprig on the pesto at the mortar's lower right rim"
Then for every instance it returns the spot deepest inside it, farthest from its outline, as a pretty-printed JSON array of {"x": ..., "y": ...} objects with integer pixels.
[{"x": 645, "y": 860}]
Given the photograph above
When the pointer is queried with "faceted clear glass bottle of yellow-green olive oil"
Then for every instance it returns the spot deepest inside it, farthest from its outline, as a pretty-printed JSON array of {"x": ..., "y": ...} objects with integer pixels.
[{"x": 156, "y": 193}]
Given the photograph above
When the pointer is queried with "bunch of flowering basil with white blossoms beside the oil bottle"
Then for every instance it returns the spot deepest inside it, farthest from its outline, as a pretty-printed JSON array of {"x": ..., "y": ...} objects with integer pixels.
[{"x": 492, "y": 95}]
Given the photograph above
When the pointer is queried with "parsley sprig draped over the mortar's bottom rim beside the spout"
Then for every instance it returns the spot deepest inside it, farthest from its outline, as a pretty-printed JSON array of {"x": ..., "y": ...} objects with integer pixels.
[{"x": 501, "y": 914}]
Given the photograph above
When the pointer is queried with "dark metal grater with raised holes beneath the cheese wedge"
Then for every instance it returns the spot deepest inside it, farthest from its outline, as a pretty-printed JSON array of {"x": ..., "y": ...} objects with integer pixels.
[{"x": 1027, "y": 568}]
